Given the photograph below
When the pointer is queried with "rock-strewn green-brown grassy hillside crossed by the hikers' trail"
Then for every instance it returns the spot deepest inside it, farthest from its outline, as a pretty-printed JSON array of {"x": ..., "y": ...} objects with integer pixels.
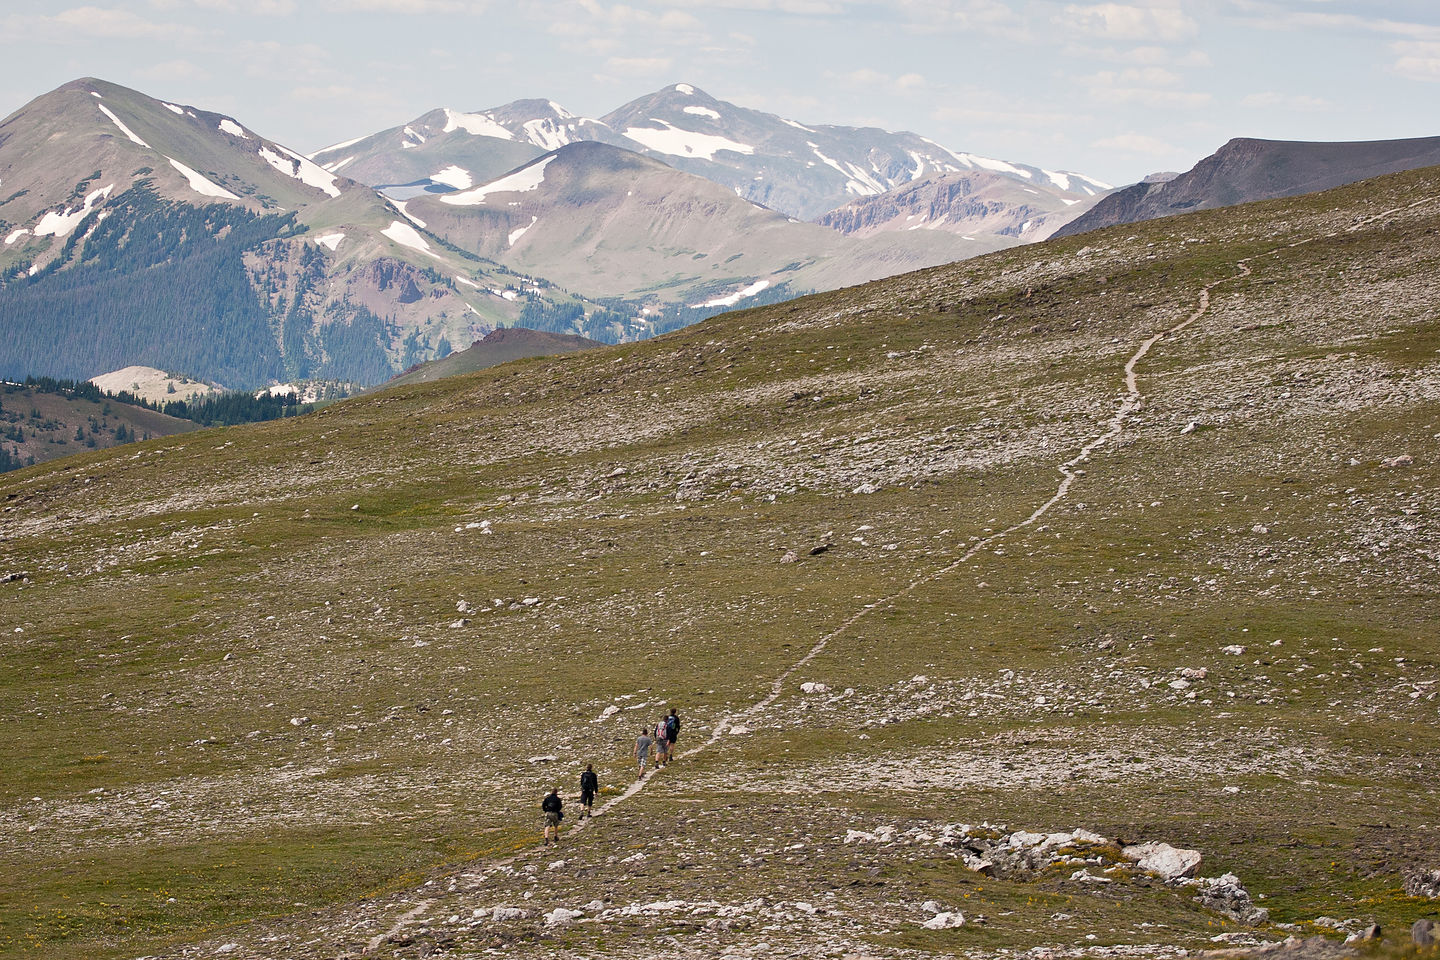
[{"x": 293, "y": 687}]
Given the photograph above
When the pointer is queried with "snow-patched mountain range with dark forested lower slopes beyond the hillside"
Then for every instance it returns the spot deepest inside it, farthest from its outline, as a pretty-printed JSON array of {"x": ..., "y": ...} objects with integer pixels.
[{"x": 143, "y": 232}]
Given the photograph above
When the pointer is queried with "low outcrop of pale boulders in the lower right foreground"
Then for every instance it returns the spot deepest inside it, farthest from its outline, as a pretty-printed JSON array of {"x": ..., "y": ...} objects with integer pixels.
[{"x": 1079, "y": 857}]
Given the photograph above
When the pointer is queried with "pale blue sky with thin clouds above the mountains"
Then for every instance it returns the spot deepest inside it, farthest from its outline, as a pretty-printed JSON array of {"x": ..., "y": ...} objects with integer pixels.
[{"x": 1111, "y": 90}]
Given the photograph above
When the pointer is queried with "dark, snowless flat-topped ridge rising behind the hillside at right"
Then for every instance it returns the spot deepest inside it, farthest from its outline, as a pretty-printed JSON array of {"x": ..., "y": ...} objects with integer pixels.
[{"x": 1246, "y": 171}]
